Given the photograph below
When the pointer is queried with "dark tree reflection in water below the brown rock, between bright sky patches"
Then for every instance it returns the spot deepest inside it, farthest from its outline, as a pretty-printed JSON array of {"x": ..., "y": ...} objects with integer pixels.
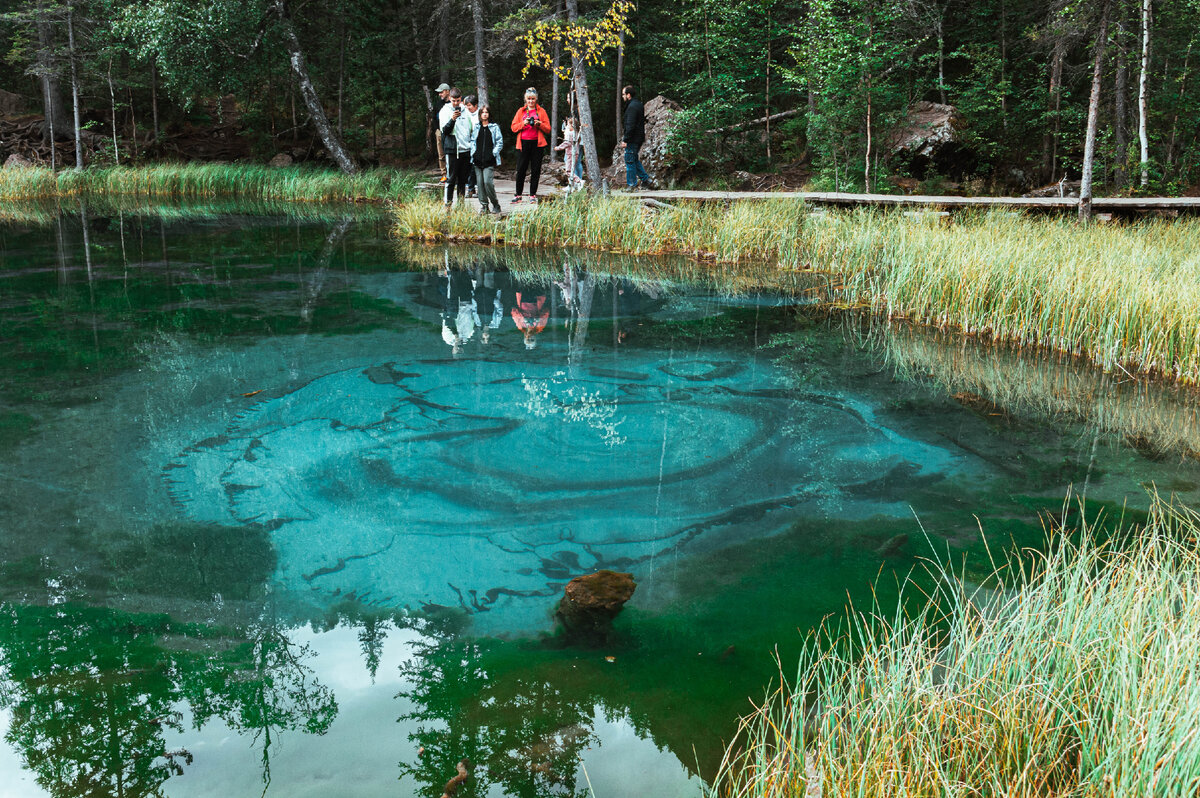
[{"x": 519, "y": 733}]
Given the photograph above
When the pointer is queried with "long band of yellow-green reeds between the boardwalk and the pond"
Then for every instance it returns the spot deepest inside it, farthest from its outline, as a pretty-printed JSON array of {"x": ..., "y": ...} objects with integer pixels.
[{"x": 1125, "y": 297}]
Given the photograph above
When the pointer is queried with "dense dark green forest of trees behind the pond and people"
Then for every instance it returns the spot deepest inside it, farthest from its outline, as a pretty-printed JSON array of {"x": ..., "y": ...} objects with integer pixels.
[{"x": 815, "y": 91}]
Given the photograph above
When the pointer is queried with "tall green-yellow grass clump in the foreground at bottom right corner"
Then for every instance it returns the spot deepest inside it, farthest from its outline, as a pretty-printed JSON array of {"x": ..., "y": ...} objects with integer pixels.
[{"x": 1079, "y": 675}]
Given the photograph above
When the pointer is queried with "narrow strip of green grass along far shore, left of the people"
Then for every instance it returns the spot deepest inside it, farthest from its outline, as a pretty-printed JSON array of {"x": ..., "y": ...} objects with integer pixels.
[{"x": 211, "y": 181}]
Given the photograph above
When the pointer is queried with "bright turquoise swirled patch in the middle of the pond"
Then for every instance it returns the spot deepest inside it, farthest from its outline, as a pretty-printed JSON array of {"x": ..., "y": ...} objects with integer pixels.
[{"x": 488, "y": 485}]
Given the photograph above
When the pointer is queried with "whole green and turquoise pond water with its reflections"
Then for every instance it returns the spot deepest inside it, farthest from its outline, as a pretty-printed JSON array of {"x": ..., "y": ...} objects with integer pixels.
[{"x": 289, "y": 506}]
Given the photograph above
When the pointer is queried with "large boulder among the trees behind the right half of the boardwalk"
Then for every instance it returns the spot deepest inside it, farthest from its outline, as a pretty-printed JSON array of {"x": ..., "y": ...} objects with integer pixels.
[{"x": 931, "y": 139}]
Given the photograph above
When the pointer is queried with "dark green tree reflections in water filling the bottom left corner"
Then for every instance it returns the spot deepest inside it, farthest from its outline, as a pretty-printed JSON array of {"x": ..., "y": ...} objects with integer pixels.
[{"x": 94, "y": 691}]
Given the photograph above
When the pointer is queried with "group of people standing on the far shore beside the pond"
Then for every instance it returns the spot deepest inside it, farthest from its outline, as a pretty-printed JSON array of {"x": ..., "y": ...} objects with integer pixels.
[{"x": 471, "y": 143}]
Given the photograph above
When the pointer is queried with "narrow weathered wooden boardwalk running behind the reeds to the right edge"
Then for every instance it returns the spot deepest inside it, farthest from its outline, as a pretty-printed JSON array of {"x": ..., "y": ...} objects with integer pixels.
[{"x": 917, "y": 202}]
